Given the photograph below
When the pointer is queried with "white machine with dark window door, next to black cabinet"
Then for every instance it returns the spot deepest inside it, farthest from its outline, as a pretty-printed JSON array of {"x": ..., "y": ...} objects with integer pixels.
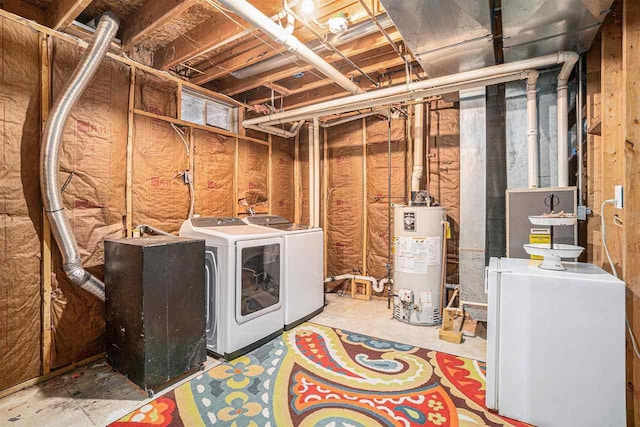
[{"x": 244, "y": 282}]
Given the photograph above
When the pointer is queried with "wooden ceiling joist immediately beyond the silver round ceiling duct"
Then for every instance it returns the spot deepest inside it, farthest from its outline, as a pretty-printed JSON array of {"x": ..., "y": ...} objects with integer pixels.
[{"x": 233, "y": 86}]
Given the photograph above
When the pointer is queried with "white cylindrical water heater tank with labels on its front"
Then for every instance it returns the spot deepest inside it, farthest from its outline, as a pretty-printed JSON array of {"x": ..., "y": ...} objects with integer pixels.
[{"x": 418, "y": 237}]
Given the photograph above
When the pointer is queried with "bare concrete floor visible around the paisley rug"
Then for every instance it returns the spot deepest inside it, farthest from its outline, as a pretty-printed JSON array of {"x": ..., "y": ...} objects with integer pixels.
[{"x": 95, "y": 395}]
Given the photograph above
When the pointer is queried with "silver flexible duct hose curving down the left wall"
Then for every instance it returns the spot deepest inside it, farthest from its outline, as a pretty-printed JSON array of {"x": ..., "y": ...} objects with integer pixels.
[{"x": 50, "y": 155}]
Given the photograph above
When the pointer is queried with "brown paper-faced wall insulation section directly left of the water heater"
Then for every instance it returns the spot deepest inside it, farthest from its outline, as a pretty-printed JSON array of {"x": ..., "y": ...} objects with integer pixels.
[{"x": 377, "y": 187}]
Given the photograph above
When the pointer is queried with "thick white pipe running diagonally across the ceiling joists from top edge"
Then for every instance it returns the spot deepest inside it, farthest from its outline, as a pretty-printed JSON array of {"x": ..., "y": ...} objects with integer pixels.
[{"x": 252, "y": 15}]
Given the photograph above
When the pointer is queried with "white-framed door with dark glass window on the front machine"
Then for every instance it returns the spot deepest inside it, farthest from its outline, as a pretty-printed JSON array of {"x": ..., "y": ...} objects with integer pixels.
[{"x": 259, "y": 266}]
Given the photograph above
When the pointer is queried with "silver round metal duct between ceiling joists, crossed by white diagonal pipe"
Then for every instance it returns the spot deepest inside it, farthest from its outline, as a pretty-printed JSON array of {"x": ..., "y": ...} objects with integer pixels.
[{"x": 354, "y": 33}]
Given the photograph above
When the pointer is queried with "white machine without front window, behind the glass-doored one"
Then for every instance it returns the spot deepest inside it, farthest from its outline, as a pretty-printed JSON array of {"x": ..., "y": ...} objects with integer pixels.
[{"x": 303, "y": 267}]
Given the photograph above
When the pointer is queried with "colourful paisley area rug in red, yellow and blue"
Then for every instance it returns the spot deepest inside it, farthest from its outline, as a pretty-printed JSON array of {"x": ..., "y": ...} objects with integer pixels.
[{"x": 318, "y": 376}]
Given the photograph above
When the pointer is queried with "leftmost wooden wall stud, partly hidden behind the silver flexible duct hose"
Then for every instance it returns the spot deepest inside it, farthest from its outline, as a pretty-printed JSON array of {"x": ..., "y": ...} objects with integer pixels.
[{"x": 47, "y": 265}]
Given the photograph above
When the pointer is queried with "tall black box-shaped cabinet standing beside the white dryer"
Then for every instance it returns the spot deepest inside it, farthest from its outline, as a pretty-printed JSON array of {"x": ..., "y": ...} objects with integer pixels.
[{"x": 155, "y": 307}]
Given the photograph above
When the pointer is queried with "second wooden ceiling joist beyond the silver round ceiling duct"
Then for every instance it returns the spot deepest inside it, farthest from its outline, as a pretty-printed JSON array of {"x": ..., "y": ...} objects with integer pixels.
[{"x": 375, "y": 64}]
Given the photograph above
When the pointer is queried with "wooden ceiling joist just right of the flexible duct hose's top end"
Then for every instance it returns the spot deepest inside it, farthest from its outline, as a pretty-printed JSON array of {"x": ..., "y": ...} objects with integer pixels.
[{"x": 153, "y": 14}]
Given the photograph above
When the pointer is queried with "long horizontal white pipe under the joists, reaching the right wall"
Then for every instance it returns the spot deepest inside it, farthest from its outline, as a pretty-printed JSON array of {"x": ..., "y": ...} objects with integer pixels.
[{"x": 485, "y": 76}]
